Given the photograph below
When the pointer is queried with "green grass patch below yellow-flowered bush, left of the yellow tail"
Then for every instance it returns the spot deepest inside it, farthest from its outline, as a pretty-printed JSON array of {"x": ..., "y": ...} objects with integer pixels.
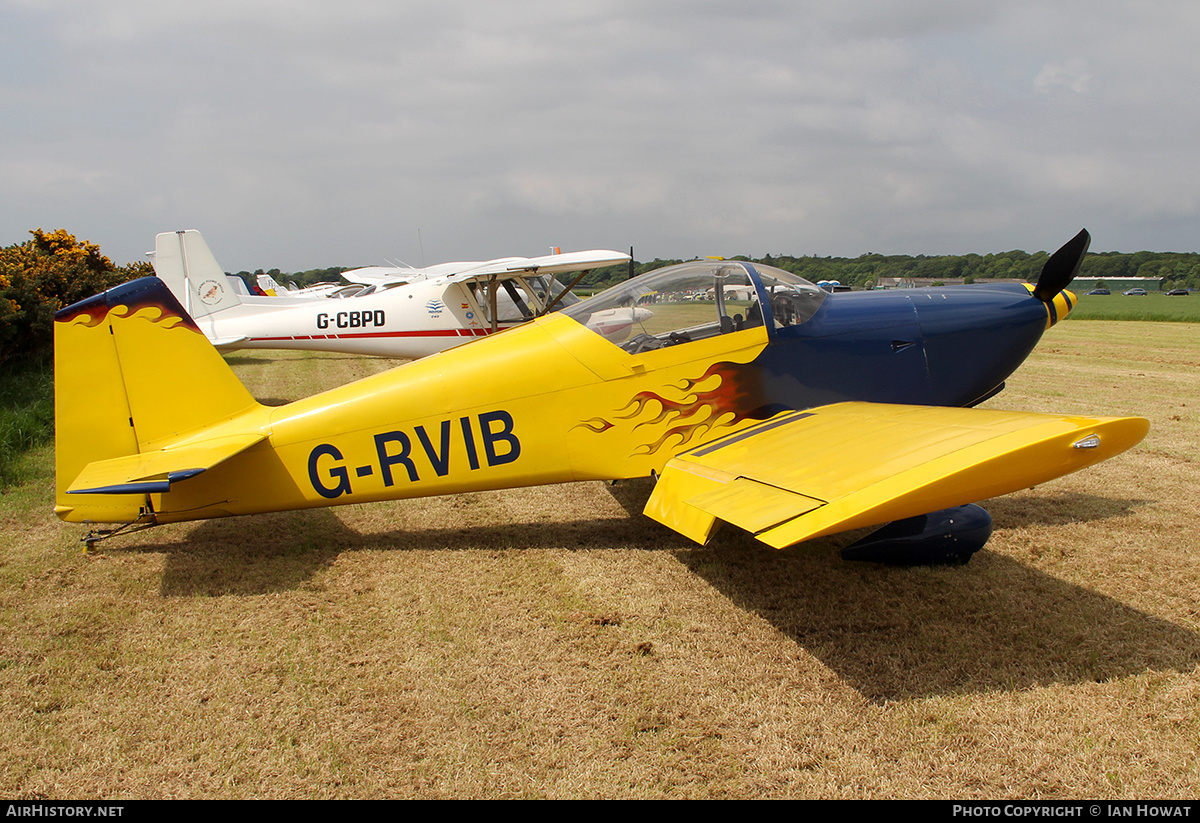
[{"x": 27, "y": 412}]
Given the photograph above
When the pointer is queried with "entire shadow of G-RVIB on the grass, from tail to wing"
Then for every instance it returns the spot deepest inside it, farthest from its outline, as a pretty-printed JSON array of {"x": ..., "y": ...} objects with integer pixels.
[{"x": 891, "y": 634}]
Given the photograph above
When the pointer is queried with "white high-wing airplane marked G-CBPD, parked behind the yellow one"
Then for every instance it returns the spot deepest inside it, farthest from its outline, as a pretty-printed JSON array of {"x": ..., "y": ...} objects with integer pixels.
[{"x": 395, "y": 317}]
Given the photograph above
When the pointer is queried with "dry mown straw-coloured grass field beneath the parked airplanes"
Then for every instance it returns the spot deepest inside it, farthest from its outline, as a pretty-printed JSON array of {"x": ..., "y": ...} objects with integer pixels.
[{"x": 548, "y": 644}]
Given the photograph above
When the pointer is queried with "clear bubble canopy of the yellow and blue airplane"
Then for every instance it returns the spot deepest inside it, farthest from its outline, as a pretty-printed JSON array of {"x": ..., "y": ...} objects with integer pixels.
[{"x": 698, "y": 301}]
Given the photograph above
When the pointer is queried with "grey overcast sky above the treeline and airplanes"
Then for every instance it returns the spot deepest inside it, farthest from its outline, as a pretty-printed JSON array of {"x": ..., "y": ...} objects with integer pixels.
[{"x": 314, "y": 134}]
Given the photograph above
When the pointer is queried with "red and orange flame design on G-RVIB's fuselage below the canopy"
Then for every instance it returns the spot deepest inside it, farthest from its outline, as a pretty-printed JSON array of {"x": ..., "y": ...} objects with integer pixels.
[{"x": 735, "y": 398}]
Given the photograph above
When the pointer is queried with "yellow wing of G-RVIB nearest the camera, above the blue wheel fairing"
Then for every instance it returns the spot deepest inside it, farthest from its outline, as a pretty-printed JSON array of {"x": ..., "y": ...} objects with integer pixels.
[{"x": 806, "y": 474}]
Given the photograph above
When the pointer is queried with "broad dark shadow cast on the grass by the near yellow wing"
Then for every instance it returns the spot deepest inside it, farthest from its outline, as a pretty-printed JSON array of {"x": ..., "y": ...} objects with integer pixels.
[{"x": 993, "y": 626}]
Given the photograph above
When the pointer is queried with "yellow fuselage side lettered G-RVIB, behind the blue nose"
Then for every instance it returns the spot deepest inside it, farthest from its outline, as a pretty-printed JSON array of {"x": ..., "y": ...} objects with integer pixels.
[{"x": 545, "y": 404}]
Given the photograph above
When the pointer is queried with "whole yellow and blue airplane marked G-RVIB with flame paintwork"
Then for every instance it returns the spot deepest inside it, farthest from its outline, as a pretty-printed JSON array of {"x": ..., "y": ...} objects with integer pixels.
[{"x": 751, "y": 395}]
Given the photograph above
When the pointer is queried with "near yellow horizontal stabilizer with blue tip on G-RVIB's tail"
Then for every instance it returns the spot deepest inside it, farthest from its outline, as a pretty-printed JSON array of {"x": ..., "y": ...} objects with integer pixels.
[{"x": 153, "y": 473}]
